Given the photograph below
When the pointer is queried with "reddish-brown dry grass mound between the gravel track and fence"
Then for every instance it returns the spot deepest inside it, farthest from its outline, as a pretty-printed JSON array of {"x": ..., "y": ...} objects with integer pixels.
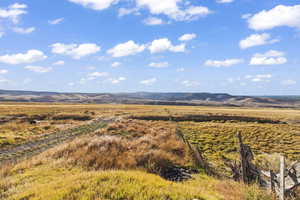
[{"x": 129, "y": 144}]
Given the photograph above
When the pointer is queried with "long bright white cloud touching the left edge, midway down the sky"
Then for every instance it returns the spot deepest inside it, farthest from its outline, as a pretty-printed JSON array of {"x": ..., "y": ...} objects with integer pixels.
[{"x": 29, "y": 57}]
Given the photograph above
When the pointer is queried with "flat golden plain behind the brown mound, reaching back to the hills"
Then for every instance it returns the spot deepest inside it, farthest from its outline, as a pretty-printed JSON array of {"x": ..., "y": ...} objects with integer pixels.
[{"x": 213, "y": 128}]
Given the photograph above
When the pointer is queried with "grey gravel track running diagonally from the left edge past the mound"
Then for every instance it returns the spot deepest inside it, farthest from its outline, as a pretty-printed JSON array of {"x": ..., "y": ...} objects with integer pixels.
[{"x": 48, "y": 141}]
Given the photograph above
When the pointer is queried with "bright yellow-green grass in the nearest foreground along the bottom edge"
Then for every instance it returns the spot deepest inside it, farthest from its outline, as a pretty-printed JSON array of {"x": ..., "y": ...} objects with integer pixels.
[{"x": 54, "y": 180}]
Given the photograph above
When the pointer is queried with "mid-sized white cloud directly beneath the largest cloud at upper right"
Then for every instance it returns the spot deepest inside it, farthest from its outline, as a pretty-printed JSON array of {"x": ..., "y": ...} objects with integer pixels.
[{"x": 257, "y": 40}]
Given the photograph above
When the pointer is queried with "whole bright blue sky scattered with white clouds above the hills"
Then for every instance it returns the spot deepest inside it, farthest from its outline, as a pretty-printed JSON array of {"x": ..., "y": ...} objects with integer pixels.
[{"x": 246, "y": 47}]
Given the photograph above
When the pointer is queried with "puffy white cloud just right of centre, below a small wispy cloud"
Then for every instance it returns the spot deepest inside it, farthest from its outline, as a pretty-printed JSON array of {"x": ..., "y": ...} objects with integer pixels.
[{"x": 164, "y": 44}]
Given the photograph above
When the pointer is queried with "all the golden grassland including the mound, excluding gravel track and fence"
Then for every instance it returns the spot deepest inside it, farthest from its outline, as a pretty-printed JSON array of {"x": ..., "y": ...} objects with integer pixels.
[{"x": 132, "y": 156}]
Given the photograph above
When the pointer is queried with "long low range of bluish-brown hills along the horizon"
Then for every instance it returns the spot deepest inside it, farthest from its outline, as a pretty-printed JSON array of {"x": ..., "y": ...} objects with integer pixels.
[{"x": 217, "y": 99}]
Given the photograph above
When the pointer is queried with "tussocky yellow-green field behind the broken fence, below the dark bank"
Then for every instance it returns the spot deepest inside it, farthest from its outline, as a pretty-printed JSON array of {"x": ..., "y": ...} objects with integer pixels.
[{"x": 219, "y": 139}]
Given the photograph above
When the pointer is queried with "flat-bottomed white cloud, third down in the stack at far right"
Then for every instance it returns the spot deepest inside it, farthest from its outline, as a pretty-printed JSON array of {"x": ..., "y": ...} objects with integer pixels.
[{"x": 271, "y": 57}]
